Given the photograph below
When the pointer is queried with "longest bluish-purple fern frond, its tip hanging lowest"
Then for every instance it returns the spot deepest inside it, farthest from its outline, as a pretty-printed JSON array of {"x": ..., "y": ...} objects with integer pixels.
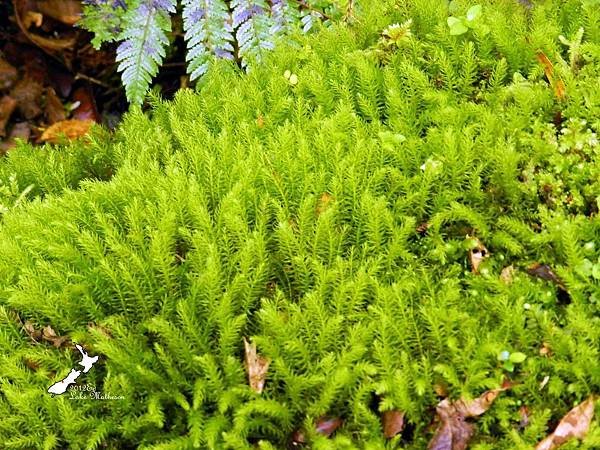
[{"x": 142, "y": 49}]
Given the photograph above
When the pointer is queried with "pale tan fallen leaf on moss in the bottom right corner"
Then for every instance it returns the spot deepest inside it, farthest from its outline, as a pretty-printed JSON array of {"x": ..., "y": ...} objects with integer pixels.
[{"x": 574, "y": 425}]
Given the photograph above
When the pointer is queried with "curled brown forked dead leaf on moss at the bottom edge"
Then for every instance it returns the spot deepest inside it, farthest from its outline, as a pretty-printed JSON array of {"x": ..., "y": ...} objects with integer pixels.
[{"x": 454, "y": 432}]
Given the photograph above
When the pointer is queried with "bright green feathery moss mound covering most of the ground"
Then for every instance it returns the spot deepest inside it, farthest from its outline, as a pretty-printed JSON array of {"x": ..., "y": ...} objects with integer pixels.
[{"x": 387, "y": 226}]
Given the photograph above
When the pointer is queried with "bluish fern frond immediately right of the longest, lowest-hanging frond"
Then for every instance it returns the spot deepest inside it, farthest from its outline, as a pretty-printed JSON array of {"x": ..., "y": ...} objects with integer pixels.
[{"x": 208, "y": 32}]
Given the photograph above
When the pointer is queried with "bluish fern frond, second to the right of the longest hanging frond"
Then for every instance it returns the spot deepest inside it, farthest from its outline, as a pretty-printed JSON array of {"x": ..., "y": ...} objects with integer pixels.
[{"x": 253, "y": 24}]
